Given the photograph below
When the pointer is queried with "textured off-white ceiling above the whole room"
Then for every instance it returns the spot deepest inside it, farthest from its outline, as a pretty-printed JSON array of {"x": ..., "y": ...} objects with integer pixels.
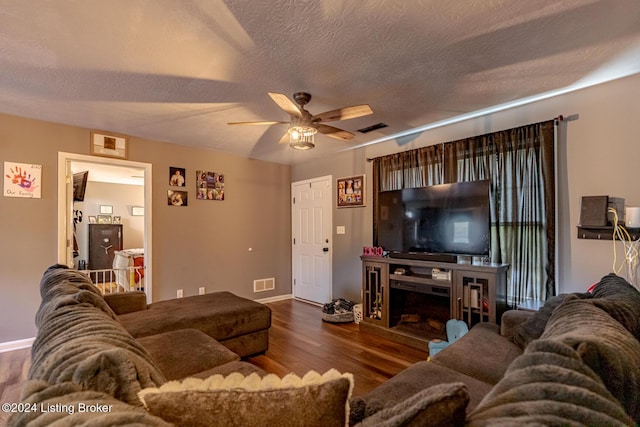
[{"x": 178, "y": 71}]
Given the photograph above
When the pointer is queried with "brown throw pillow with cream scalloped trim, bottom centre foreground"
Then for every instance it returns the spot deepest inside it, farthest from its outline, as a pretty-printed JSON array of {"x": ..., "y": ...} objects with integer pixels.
[{"x": 314, "y": 400}]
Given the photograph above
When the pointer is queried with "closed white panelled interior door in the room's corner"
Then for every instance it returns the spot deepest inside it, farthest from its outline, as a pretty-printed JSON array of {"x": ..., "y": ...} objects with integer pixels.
[{"x": 312, "y": 244}]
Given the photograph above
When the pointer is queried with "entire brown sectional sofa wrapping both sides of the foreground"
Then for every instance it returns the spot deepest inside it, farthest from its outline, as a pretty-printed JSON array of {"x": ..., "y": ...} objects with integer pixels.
[{"x": 575, "y": 362}]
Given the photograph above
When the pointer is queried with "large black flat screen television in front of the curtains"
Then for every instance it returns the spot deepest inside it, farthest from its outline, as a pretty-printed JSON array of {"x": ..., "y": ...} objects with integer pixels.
[{"x": 438, "y": 219}]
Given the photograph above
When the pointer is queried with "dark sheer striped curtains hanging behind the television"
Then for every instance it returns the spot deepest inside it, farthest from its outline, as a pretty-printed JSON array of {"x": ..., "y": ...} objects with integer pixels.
[{"x": 519, "y": 163}]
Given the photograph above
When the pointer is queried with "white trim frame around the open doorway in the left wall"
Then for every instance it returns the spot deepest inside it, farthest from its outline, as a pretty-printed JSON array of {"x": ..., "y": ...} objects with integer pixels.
[{"x": 66, "y": 207}]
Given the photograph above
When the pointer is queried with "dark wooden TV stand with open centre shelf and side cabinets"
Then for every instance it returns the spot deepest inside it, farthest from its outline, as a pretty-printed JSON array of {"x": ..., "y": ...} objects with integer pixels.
[{"x": 409, "y": 300}]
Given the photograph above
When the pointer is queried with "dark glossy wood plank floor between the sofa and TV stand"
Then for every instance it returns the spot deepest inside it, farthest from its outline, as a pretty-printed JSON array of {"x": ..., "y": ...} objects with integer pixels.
[{"x": 299, "y": 341}]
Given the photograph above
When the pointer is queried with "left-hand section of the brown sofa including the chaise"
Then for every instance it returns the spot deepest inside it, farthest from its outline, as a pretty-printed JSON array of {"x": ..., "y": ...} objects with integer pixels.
[{"x": 83, "y": 353}]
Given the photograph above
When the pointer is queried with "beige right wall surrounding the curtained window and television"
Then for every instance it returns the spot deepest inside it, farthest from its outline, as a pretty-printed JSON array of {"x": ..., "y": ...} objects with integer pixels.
[{"x": 598, "y": 154}]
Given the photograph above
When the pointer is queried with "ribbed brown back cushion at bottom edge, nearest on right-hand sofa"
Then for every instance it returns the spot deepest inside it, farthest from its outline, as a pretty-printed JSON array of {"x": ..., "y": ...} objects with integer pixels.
[{"x": 549, "y": 385}]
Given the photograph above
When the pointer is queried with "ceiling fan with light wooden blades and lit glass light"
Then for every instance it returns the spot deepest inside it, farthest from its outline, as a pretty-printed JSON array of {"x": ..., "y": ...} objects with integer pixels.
[{"x": 303, "y": 125}]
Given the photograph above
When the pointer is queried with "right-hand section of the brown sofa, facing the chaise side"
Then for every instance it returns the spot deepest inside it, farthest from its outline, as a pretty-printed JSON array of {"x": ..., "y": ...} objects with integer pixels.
[{"x": 575, "y": 362}]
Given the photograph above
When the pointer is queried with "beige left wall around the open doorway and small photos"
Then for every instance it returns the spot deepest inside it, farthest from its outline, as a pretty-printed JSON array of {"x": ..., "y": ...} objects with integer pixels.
[{"x": 204, "y": 244}]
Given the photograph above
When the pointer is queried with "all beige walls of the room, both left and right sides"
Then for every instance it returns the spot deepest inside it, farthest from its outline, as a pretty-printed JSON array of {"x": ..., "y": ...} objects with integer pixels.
[{"x": 207, "y": 243}]
